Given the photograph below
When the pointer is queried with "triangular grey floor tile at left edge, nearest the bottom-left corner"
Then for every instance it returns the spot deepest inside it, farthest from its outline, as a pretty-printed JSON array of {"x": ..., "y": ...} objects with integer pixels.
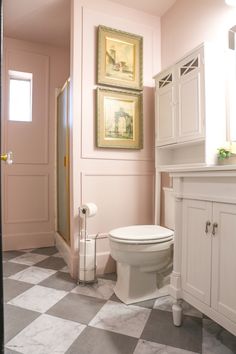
[{"x": 16, "y": 319}]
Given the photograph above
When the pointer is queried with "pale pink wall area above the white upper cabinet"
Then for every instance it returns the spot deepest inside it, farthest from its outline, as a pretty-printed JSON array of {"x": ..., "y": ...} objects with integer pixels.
[{"x": 189, "y": 23}]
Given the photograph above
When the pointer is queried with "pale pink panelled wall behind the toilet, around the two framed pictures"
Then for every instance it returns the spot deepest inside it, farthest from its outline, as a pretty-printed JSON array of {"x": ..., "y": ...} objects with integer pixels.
[{"x": 120, "y": 182}]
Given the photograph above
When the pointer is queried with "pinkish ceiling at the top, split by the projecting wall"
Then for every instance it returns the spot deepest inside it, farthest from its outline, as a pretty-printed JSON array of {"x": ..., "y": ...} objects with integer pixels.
[{"x": 48, "y": 21}]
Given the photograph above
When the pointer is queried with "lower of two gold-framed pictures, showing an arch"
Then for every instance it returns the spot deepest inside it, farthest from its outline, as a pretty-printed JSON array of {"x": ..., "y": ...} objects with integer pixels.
[{"x": 119, "y": 119}]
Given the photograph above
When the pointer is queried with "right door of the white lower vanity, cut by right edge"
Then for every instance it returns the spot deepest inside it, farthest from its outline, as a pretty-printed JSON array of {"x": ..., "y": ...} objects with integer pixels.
[{"x": 224, "y": 260}]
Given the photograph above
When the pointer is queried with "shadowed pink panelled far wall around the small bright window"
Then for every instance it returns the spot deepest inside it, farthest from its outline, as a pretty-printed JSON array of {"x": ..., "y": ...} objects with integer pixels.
[{"x": 29, "y": 184}]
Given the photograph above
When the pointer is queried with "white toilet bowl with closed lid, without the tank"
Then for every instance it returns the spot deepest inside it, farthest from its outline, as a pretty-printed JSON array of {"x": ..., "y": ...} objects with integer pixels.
[{"x": 141, "y": 253}]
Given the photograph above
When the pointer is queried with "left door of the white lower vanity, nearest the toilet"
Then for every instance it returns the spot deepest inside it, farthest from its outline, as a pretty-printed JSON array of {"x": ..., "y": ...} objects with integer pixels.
[{"x": 196, "y": 248}]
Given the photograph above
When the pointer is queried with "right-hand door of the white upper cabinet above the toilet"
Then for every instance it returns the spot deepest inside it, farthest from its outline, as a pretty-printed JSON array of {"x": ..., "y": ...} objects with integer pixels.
[{"x": 190, "y": 99}]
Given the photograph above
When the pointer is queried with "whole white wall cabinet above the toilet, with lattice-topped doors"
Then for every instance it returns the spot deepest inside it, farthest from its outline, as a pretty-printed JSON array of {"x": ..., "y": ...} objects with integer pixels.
[{"x": 190, "y": 107}]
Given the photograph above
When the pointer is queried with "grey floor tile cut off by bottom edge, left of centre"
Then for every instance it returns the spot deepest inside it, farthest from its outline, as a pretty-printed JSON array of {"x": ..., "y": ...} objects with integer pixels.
[{"x": 97, "y": 341}]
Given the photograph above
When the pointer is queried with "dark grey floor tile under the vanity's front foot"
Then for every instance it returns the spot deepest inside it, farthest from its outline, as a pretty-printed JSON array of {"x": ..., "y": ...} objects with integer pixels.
[{"x": 160, "y": 329}]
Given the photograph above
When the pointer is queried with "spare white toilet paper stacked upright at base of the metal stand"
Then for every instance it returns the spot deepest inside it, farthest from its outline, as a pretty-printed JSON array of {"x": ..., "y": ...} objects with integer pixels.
[{"x": 87, "y": 260}]
